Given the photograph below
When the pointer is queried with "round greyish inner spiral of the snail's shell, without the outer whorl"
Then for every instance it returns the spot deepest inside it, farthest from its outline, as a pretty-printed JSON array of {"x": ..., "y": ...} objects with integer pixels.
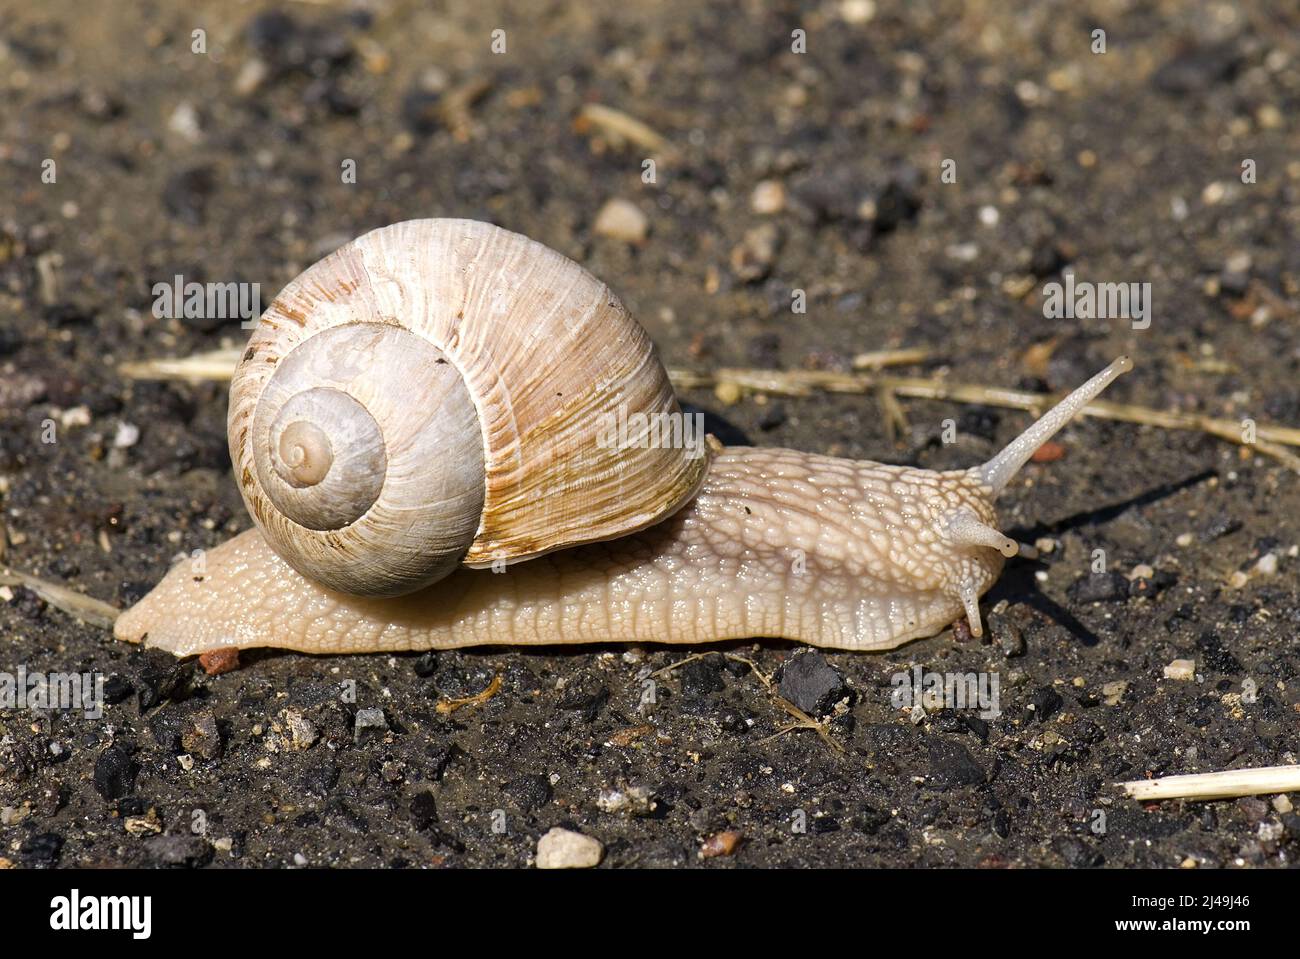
[{"x": 369, "y": 449}]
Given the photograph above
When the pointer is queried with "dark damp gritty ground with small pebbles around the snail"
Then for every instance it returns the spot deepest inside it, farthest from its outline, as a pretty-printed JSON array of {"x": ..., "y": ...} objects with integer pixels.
[{"x": 1125, "y": 166}]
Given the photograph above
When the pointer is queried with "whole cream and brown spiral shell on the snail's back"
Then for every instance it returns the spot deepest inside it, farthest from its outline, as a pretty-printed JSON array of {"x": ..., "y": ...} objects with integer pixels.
[{"x": 432, "y": 394}]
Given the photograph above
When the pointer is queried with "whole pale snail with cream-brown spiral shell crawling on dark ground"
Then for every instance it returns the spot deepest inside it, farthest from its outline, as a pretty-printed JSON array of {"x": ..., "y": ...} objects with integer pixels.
[{"x": 417, "y": 431}]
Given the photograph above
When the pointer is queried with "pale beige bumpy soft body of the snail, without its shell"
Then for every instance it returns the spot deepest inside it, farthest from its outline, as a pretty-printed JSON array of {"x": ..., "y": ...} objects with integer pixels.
[{"x": 829, "y": 552}]
